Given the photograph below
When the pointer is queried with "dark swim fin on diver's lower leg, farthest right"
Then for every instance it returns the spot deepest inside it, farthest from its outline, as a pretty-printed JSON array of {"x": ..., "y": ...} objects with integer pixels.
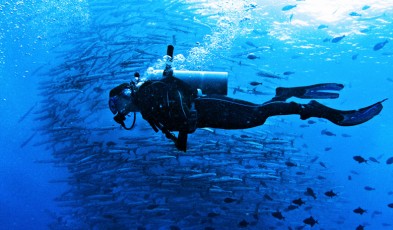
[{"x": 339, "y": 117}]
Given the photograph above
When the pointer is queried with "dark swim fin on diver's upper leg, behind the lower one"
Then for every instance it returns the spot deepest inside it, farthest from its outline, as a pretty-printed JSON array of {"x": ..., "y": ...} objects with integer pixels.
[{"x": 317, "y": 91}]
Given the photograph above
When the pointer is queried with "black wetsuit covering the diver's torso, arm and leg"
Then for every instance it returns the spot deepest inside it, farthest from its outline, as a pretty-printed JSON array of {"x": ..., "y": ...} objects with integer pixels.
[{"x": 168, "y": 105}]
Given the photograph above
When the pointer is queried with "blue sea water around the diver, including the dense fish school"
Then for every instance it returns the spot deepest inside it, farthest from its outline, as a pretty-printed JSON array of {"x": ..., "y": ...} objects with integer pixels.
[{"x": 64, "y": 164}]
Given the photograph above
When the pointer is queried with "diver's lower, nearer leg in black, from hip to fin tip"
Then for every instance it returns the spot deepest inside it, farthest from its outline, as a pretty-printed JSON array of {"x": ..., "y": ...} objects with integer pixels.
[{"x": 227, "y": 113}]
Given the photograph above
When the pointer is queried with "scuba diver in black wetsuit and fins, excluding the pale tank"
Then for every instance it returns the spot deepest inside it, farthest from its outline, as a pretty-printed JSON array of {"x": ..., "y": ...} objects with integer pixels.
[{"x": 170, "y": 104}]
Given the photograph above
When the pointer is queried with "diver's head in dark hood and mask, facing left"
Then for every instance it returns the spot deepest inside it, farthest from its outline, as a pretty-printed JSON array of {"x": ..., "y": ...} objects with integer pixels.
[{"x": 121, "y": 99}]
